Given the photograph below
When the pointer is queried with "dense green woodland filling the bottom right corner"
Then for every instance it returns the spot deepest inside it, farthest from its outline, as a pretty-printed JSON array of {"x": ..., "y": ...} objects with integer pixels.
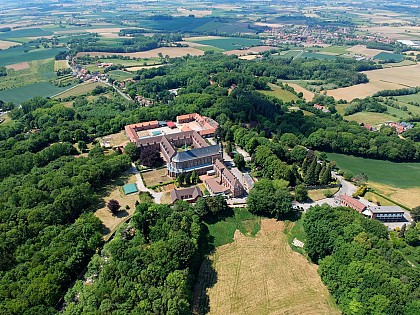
[{"x": 366, "y": 271}]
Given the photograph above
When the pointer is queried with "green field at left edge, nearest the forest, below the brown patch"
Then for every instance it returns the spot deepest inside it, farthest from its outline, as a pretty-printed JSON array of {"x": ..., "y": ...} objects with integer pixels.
[{"x": 24, "y": 93}]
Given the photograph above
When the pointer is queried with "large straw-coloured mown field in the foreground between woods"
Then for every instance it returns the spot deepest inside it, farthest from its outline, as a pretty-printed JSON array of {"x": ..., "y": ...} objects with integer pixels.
[{"x": 263, "y": 275}]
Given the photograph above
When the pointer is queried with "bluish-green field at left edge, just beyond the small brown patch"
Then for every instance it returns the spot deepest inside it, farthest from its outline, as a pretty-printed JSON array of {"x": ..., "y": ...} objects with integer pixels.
[{"x": 17, "y": 54}]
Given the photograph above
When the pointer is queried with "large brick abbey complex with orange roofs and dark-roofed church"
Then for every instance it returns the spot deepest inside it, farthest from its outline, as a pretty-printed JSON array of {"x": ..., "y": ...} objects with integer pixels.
[{"x": 184, "y": 149}]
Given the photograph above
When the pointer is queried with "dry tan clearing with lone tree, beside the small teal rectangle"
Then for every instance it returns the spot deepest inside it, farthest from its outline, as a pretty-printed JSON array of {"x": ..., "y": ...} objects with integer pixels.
[{"x": 115, "y": 191}]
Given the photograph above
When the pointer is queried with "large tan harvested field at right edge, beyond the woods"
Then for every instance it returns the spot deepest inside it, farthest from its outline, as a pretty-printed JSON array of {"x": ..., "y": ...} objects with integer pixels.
[{"x": 382, "y": 79}]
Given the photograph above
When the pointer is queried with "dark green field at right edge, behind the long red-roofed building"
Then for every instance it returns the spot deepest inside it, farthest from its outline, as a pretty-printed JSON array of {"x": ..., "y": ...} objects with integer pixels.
[{"x": 402, "y": 175}]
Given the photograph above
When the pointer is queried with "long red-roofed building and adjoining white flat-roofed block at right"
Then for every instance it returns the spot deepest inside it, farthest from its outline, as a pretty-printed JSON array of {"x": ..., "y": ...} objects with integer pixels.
[{"x": 382, "y": 213}]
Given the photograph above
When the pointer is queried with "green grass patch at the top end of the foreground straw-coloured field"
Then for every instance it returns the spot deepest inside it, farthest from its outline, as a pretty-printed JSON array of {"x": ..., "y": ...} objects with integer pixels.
[{"x": 242, "y": 220}]
